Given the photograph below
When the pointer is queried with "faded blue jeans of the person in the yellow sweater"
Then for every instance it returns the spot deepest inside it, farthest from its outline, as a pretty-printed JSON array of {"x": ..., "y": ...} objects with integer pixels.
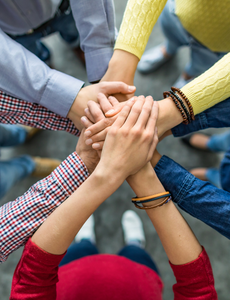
[{"x": 201, "y": 57}]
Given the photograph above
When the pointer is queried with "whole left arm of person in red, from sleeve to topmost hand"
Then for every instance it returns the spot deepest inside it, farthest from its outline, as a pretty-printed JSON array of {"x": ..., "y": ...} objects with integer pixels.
[{"x": 123, "y": 146}]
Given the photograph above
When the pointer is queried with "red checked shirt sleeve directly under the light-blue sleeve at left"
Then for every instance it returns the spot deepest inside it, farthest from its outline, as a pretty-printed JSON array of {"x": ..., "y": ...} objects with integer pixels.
[{"x": 16, "y": 111}]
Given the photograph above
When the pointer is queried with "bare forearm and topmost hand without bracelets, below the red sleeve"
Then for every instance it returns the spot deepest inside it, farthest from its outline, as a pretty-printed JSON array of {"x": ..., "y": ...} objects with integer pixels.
[{"x": 124, "y": 153}]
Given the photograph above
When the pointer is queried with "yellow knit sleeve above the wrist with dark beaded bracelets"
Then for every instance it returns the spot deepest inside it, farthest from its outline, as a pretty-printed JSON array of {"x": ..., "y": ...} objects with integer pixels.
[{"x": 211, "y": 87}]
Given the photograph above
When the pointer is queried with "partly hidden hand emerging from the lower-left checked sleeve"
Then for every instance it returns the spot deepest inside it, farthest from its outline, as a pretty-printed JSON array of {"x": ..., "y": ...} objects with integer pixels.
[{"x": 89, "y": 156}]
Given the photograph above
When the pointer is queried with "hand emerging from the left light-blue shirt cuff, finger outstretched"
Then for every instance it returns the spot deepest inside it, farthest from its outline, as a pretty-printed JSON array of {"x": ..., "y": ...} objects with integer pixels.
[{"x": 90, "y": 93}]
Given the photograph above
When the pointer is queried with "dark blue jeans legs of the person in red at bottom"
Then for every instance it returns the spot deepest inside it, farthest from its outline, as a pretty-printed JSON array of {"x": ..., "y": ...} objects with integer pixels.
[{"x": 85, "y": 248}]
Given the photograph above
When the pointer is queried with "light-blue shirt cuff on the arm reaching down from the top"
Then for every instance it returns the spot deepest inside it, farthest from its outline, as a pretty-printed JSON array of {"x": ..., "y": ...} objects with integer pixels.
[{"x": 97, "y": 62}]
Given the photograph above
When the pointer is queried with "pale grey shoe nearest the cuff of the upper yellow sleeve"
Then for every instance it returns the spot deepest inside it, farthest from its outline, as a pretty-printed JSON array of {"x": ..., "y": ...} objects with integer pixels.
[{"x": 152, "y": 60}]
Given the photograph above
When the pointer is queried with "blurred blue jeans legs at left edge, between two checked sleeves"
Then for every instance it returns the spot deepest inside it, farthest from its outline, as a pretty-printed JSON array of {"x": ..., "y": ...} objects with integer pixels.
[{"x": 13, "y": 170}]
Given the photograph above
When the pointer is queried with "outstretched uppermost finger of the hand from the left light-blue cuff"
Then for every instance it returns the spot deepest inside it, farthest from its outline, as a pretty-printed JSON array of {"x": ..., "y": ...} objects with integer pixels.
[{"x": 114, "y": 87}]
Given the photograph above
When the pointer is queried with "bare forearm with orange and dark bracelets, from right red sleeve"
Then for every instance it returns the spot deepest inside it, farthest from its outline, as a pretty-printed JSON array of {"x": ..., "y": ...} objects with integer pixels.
[{"x": 177, "y": 238}]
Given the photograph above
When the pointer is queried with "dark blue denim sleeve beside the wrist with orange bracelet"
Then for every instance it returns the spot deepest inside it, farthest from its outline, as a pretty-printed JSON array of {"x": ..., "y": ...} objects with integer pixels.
[{"x": 199, "y": 198}]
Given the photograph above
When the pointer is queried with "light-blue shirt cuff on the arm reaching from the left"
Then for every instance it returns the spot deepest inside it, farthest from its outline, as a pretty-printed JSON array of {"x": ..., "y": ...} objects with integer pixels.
[{"x": 60, "y": 92}]
